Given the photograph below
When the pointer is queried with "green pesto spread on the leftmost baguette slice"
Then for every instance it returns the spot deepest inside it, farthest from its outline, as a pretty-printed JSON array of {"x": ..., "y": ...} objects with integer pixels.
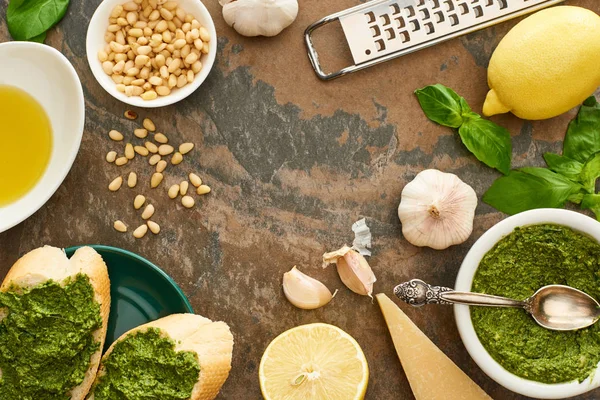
[{"x": 46, "y": 340}]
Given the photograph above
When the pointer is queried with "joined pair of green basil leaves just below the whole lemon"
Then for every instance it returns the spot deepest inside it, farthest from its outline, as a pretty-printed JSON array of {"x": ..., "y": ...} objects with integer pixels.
[{"x": 489, "y": 142}]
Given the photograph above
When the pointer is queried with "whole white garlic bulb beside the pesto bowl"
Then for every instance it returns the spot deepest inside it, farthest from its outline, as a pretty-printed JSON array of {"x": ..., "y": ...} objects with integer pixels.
[{"x": 437, "y": 210}]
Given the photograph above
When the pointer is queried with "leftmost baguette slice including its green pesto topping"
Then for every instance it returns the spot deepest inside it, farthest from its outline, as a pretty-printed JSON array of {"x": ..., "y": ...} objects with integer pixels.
[{"x": 53, "y": 321}]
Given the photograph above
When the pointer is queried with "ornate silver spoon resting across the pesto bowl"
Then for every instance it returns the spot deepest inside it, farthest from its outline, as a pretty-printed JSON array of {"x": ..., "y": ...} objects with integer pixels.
[{"x": 556, "y": 307}]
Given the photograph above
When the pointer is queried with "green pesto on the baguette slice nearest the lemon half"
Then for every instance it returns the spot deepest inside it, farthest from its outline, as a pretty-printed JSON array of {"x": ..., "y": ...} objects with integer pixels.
[{"x": 145, "y": 366}]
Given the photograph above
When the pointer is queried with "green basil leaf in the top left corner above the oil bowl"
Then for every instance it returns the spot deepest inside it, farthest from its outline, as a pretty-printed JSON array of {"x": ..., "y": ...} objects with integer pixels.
[{"x": 28, "y": 19}]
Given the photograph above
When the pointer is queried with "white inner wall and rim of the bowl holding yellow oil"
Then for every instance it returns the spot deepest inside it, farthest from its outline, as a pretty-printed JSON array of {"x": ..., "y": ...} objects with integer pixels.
[{"x": 49, "y": 77}]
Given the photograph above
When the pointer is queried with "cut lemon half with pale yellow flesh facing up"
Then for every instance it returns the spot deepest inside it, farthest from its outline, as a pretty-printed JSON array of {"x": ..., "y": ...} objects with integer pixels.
[{"x": 315, "y": 361}]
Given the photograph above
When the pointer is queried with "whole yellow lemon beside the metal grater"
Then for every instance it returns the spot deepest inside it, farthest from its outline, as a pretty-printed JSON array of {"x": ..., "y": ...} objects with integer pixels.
[{"x": 546, "y": 65}]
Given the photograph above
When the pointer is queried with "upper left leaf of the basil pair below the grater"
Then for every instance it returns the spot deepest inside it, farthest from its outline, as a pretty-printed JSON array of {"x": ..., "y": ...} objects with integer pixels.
[{"x": 442, "y": 105}]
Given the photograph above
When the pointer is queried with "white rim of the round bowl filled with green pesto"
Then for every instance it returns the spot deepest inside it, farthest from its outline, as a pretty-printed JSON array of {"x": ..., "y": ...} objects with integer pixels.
[{"x": 493, "y": 369}]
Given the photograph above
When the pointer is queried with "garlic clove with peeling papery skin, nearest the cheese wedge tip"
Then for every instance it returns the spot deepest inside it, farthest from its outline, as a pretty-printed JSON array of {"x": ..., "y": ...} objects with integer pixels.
[{"x": 353, "y": 270}]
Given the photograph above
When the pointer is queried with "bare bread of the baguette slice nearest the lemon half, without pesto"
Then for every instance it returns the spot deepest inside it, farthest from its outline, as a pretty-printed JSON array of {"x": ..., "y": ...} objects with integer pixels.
[{"x": 211, "y": 341}]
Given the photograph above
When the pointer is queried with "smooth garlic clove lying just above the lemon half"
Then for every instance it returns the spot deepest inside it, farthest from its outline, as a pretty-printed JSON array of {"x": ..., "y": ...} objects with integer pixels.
[{"x": 305, "y": 292}]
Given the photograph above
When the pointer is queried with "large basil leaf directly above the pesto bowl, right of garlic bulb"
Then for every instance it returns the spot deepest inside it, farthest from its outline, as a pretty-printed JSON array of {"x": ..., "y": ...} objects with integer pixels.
[{"x": 520, "y": 191}]
